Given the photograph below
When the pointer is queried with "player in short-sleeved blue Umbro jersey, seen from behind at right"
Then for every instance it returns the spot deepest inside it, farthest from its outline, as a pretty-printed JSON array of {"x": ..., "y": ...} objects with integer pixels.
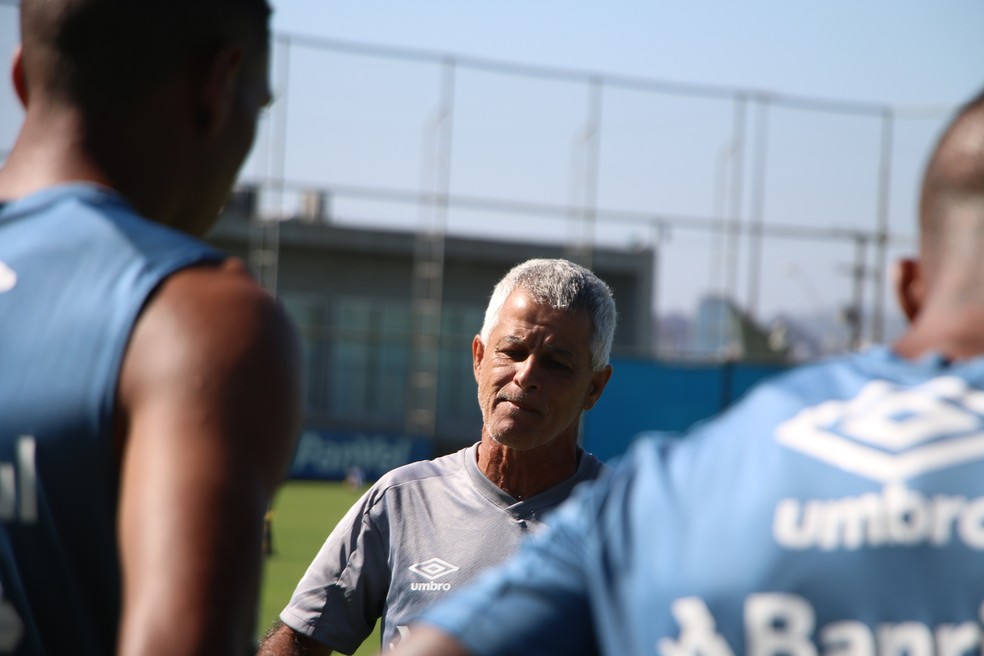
[{"x": 839, "y": 508}]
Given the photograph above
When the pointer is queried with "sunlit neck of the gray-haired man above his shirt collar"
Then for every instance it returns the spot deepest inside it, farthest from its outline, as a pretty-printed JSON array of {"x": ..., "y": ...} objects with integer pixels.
[{"x": 523, "y": 474}]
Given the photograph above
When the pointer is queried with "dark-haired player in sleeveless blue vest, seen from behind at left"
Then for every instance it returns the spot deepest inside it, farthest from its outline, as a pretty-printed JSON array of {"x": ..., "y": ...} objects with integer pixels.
[{"x": 149, "y": 388}]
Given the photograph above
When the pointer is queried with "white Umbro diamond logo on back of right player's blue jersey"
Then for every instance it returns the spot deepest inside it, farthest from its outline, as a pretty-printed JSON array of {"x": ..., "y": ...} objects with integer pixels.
[{"x": 890, "y": 433}]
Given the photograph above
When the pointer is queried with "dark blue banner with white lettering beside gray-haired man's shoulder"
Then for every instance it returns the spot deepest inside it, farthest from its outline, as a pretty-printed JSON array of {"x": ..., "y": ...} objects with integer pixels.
[{"x": 333, "y": 456}]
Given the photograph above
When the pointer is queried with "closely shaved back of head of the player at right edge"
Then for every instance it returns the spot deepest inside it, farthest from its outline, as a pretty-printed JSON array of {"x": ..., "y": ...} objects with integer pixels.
[{"x": 952, "y": 201}]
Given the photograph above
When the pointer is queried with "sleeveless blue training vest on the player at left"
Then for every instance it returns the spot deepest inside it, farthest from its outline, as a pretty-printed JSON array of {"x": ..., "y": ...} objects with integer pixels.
[{"x": 76, "y": 267}]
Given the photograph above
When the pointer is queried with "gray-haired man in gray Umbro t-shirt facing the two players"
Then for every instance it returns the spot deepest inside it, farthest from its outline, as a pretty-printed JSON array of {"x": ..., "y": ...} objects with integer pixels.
[{"x": 426, "y": 528}]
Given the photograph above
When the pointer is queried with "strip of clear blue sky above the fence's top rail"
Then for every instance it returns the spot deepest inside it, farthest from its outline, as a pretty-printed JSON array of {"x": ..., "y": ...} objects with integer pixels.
[{"x": 899, "y": 51}]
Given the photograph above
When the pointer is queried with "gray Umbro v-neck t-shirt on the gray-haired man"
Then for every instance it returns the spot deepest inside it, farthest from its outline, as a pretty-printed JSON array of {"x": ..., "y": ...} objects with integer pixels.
[{"x": 420, "y": 532}]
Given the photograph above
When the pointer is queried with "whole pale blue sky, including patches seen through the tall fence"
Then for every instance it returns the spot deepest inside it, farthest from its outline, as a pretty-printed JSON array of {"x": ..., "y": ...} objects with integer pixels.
[{"x": 358, "y": 122}]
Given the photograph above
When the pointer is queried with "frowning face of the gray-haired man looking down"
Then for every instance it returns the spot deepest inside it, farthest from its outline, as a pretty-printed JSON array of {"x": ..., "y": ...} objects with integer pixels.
[{"x": 534, "y": 376}]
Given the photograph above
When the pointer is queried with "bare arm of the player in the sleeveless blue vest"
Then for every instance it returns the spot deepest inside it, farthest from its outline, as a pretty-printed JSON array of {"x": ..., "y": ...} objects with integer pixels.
[{"x": 209, "y": 408}]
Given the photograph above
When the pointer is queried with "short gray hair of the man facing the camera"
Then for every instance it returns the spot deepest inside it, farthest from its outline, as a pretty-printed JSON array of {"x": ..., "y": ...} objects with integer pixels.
[{"x": 562, "y": 285}]
